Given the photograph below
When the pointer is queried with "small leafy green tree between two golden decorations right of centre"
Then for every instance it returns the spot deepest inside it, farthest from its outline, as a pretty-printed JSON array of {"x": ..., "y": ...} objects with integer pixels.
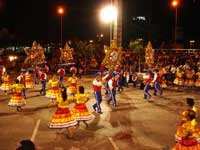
[{"x": 137, "y": 48}]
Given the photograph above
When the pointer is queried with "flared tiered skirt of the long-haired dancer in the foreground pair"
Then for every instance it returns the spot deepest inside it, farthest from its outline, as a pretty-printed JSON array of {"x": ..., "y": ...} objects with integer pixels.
[{"x": 62, "y": 119}]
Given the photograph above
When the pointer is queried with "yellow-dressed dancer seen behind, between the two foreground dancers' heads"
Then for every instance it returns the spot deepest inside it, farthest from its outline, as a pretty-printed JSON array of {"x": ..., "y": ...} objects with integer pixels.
[{"x": 73, "y": 80}]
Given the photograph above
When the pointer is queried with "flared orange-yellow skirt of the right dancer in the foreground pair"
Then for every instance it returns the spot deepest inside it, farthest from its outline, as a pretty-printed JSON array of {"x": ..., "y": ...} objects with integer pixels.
[{"x": 81, "y": 113}]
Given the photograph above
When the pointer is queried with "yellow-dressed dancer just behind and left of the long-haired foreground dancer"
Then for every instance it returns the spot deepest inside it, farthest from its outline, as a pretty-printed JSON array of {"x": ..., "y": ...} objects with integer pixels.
[{"x": 53, "y": 92}]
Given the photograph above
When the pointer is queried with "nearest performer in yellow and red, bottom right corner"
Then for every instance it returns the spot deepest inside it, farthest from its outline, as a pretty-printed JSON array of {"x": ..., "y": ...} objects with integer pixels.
[{"x": 188, "y": 134}]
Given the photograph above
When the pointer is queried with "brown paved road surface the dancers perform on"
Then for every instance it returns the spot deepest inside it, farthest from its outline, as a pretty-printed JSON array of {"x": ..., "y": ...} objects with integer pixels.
[{"x": 135, "y": 123}]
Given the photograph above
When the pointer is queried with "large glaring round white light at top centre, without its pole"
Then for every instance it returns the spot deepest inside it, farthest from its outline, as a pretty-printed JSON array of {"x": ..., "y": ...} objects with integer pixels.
[{"x": 108, "y": 14}]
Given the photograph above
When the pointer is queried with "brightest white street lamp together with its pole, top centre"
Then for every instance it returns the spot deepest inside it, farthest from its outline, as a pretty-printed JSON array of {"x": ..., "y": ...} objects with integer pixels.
[{"x": 109, "y": 15}]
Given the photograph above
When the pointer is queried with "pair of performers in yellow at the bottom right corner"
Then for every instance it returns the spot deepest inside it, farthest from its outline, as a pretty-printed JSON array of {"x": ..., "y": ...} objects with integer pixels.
[{"x": 187, "y": 136}]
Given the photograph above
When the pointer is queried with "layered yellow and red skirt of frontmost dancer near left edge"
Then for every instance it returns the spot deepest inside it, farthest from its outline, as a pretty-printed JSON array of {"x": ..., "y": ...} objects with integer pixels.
[{"x": 17, "y": 100}]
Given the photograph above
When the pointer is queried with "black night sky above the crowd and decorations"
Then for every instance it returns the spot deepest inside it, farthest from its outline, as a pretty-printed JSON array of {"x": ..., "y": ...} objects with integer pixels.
[{"x": 27, "y": 20}]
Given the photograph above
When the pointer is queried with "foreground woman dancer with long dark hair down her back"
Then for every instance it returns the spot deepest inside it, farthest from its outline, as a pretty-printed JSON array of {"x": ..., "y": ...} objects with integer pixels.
[{"x": 63, "y": 118}]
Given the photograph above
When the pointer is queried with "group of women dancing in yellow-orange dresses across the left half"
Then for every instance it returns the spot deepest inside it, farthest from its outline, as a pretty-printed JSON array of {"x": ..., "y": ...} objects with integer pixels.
[{"x": 59, "y": 94}]
